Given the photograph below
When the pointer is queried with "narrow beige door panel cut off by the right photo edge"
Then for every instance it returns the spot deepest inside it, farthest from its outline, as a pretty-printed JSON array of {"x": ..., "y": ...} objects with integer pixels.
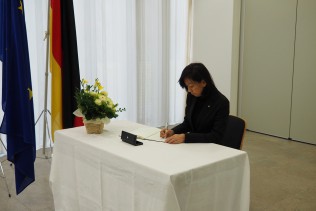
[{"x": 303, "y": 115}]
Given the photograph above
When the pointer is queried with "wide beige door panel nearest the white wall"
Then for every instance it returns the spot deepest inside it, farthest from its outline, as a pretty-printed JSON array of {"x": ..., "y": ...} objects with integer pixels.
[{"x": 267, "y": 65}]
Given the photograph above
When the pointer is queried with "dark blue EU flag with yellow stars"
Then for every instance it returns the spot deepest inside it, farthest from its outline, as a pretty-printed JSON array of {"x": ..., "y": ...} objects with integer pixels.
[{"x": 17, "y": 99}]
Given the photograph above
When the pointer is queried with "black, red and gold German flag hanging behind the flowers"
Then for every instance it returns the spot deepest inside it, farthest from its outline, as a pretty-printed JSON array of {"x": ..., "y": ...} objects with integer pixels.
[{"x": 64, "y": 65}]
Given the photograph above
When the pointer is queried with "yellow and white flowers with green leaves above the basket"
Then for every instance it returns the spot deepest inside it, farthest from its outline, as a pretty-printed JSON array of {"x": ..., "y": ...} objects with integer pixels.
[{"x": 94, "y": 105}]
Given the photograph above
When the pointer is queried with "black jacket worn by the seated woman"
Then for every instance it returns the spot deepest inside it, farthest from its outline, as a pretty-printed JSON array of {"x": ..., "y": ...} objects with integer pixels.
[{"x": 209, "y": 124}]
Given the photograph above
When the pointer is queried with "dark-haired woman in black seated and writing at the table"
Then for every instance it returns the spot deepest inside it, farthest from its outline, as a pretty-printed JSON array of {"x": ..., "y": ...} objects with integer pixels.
[{"x": 206, "y": 111}]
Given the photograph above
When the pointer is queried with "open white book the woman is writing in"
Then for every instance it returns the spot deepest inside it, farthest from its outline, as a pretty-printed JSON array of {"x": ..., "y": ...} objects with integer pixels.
[{"x": 148, "y": 133}]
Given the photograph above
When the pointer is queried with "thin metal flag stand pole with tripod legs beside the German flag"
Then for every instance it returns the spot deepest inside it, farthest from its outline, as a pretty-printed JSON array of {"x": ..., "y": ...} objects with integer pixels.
[{"x": 45, "y": 111}]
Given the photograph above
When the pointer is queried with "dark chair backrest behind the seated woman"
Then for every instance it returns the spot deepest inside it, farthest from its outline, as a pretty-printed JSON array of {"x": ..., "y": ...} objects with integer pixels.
[{"x": 234, "y": 133}]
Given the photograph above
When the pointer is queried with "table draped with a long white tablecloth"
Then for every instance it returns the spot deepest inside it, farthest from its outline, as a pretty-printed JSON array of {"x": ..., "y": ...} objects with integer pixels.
[{"x": 100, "y": 172}]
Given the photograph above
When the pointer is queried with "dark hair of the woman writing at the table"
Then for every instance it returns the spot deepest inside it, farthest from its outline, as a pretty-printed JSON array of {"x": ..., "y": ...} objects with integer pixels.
[{"x": 196, "y": 72}]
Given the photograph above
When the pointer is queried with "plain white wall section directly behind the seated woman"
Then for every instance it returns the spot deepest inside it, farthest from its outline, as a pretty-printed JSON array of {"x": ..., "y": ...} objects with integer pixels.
[{"x": 215, "y": 43}]
